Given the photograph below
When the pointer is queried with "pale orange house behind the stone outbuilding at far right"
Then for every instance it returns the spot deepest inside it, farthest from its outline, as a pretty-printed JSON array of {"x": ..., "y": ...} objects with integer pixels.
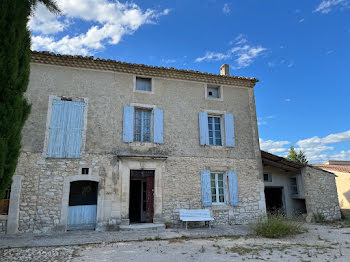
[{"x": 341, "y": 169}]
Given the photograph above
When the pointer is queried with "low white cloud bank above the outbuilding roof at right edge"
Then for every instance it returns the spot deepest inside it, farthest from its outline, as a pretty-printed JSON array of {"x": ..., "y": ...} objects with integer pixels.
[{"x": 316, "y": 149}]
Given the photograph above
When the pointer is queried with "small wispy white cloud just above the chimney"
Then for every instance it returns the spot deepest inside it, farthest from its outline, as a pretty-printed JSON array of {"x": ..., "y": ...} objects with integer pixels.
[{"x": 242, "y": 54}]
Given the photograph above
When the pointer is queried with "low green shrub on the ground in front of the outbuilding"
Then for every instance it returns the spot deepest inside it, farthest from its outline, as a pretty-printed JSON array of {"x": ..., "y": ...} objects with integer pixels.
[{"x": 276, "y": 226}]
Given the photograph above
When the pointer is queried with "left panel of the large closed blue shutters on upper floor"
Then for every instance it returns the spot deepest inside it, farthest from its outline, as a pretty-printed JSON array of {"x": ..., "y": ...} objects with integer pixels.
[{"x": 57, "y": 130}]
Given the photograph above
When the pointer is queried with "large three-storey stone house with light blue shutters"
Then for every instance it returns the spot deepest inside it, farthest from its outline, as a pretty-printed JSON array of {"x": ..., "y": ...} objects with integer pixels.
[{"x": 110, "y": 143}]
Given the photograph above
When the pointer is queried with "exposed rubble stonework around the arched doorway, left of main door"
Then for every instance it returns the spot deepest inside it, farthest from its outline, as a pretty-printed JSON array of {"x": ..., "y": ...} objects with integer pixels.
[{"x": 42, "y": 187}]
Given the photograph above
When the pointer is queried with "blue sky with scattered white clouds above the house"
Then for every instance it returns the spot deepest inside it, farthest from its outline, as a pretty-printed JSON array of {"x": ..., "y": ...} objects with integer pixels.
[{"x": 300, "y": 51}]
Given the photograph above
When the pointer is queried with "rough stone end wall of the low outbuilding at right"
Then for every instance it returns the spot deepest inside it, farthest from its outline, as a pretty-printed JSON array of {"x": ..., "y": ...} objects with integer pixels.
[{"x": 320, "y": 193}]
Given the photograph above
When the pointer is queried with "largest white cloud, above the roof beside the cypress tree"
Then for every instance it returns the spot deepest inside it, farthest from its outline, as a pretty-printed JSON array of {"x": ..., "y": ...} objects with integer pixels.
[{"x": 110, "y": 22}]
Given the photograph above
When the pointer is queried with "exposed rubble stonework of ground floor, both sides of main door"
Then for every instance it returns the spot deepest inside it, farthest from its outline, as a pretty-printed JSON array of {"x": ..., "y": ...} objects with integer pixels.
[{"x": 41, "y": 201}]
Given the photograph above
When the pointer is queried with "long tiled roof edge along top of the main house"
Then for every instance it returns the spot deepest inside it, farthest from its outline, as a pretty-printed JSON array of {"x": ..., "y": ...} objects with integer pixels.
[{"x": 139, "y": 69}]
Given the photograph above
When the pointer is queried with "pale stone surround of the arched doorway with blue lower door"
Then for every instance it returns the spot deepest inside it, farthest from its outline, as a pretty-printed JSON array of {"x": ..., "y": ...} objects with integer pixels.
[{"x": 65, "y": 199}]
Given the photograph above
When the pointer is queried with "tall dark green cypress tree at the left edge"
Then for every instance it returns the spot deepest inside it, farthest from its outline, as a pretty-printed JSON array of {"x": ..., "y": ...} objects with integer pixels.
[{"x": 14, "y": 76}]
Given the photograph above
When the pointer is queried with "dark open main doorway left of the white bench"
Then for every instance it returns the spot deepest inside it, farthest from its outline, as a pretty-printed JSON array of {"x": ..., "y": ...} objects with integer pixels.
[{"x": 141, "y": 206}]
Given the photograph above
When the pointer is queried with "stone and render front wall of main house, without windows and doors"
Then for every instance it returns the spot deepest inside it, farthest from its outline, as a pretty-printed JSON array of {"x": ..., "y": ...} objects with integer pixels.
[{"x": 43, "y": 198}]
